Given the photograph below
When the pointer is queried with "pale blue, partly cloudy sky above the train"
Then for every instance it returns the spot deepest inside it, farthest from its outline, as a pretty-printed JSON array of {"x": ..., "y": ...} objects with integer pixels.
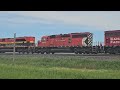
[{"x": 40, "y": 23}]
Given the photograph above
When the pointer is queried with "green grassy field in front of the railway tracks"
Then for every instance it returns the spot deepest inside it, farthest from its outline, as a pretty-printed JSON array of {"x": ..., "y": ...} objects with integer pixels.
[{"x": 59, "y": 67}]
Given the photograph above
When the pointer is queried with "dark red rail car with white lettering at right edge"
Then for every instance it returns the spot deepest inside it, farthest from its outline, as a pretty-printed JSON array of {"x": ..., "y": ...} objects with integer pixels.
[{"x": 112, "y": 41}]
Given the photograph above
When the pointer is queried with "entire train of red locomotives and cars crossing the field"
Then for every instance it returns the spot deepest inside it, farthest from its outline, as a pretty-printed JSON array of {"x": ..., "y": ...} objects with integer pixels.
[{"x": 78, "y": 43}]
